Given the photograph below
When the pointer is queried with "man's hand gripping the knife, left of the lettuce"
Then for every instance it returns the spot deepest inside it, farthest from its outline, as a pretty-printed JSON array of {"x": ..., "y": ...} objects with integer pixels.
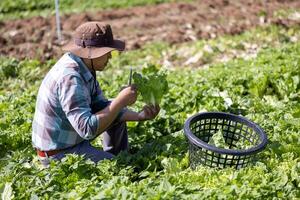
[{"x": 128, "y": 95}]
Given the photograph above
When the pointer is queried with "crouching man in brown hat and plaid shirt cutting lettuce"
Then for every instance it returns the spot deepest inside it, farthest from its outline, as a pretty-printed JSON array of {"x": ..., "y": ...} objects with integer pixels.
[{"x": 71, "y": 109}]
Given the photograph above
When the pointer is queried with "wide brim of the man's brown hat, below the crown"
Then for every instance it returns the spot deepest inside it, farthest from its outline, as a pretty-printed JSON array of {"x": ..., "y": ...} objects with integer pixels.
[{"x": 93, "y": 52}]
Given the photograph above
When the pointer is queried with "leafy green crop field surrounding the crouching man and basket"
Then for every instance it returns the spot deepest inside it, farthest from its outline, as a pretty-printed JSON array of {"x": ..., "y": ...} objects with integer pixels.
[{"x": 258, "y": 70}]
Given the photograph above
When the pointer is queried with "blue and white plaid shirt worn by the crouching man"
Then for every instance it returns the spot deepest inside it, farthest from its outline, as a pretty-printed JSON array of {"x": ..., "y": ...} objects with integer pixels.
[{"x": 67, "y": 100}]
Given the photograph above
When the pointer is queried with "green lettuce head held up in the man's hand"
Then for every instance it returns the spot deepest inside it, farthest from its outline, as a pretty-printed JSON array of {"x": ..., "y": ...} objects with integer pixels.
[{"x": 152, "y": 84}]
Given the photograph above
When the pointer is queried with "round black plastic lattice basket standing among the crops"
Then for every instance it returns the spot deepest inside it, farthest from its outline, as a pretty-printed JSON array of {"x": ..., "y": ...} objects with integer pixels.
[{"x": 200, "y": 128}]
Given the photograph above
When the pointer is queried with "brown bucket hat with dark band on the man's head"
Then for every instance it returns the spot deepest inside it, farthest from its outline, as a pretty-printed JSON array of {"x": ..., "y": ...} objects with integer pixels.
[{"x": 92, "y": 40}]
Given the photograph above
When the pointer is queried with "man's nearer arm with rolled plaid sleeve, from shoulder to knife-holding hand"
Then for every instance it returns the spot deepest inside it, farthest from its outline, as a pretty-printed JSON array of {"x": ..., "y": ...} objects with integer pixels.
[{"x": 73, "y": 101}]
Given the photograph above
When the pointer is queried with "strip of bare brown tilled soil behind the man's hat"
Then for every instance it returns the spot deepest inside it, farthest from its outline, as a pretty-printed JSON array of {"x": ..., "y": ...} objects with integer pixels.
[{"x": 170, "y": 22}]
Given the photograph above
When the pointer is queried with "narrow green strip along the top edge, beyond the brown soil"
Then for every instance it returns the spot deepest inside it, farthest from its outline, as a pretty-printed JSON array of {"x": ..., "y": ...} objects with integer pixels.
[{"x": 28, "y": 8}]
